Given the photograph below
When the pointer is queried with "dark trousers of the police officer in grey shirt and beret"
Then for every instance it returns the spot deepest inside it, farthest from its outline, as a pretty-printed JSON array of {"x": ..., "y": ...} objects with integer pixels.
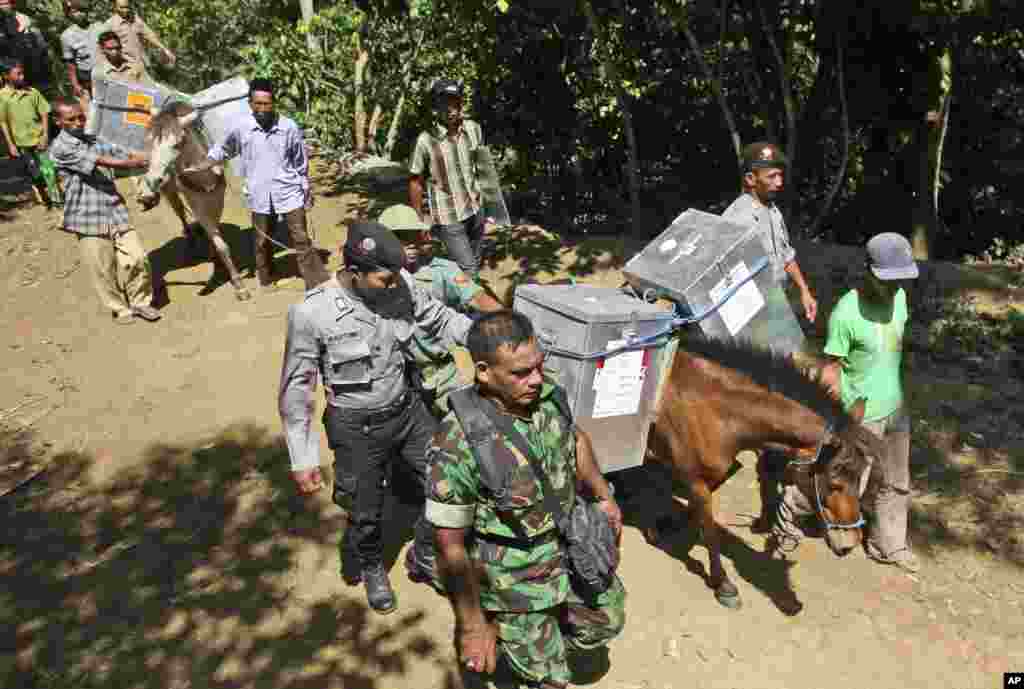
[{"x": 365, "y": 444}]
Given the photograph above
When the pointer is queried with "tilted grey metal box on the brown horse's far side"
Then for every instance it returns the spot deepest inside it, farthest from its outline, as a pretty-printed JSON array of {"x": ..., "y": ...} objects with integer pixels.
[{"x": 698, "y": 262}]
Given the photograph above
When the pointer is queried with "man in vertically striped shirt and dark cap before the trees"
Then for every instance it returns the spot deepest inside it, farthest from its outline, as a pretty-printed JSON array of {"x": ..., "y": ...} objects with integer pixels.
[{"x": 448, "y": 156}]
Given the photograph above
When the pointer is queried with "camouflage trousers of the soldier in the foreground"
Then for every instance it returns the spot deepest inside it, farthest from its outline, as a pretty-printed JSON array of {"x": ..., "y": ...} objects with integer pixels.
[{"x": 534, "y": 644}]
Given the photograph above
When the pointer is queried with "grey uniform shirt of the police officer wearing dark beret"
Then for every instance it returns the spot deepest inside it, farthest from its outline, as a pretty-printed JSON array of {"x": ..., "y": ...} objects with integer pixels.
[{"x": 360, "y": 354}]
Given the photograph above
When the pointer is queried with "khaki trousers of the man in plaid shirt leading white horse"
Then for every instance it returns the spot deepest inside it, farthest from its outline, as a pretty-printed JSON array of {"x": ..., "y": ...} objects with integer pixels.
[{"x": 119, "y": 269}]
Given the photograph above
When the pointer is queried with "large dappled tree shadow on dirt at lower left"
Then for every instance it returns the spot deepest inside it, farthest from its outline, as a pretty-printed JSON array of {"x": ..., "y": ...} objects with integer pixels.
[{"x": 181, "y": 575}]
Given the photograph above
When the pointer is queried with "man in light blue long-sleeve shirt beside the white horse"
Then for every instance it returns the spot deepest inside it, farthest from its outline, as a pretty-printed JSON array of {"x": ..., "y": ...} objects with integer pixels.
[{"x": 277, "y": 175}]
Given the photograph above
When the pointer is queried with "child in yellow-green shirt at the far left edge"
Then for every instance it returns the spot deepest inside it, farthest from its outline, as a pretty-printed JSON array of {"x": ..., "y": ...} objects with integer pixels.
[{"x": 25, "y": 123}]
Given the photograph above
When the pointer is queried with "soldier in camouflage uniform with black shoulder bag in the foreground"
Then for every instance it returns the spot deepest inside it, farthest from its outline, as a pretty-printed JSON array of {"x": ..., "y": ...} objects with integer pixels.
[{"x": 509, "y": 583}]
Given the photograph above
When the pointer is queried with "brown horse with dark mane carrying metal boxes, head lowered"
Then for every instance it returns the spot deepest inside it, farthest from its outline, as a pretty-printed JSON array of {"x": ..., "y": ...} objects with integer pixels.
[{"x": 722, "y": 399}]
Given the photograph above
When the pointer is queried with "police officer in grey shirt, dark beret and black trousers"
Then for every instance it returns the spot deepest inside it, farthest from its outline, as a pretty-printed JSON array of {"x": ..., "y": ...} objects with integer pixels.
[{"x": 356, "y": 330}]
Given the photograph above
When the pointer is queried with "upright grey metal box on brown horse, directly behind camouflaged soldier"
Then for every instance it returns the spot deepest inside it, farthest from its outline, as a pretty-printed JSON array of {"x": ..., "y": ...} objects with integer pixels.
[{"x": 614, "y": 397}]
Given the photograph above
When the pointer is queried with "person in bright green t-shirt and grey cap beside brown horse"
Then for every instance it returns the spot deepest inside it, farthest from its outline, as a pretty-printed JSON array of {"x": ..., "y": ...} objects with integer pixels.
[{"x": 866, "y": 344}]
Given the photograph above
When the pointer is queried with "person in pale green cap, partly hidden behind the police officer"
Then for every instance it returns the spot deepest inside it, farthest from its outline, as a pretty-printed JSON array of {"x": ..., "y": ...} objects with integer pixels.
[{"x": 446, "y": 282}]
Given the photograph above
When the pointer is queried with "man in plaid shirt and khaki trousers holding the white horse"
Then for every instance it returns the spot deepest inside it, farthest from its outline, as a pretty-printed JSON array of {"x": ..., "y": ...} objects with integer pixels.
[{"x": 96, "y": 211}]
